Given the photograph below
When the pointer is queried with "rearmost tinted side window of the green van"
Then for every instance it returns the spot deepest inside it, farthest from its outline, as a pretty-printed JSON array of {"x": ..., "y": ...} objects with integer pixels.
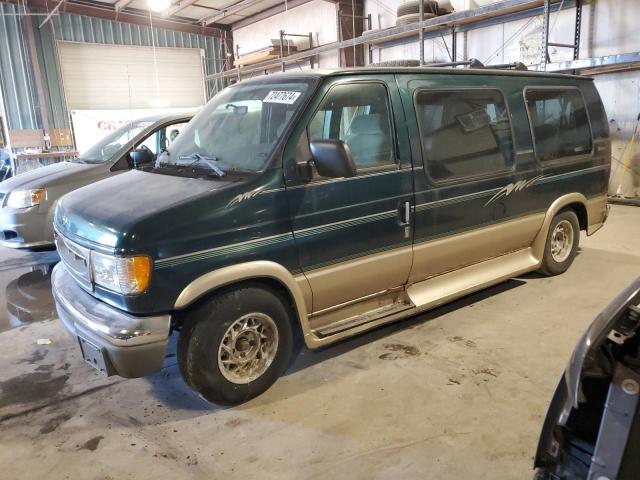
[{"x": 559, "y": 123}]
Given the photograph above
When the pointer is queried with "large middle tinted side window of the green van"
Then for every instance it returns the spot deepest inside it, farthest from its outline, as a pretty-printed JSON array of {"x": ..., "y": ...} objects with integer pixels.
[{"x": 464, "y": 133}]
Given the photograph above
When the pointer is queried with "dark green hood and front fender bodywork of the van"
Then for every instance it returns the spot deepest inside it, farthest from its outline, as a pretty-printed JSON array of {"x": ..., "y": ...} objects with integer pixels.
[{"x": 195, "y": 213}]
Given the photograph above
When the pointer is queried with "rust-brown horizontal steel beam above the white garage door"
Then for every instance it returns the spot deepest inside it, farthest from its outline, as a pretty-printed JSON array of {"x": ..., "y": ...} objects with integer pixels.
[{"x": 126, "y": 17}]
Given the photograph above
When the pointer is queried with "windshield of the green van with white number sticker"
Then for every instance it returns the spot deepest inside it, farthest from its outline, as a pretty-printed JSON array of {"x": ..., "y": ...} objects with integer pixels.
[{"x": 236, "y": 131}]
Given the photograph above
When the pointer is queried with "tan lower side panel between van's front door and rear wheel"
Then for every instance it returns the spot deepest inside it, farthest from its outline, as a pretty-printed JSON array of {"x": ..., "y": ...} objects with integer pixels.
[{"x": 435, "y": 257}]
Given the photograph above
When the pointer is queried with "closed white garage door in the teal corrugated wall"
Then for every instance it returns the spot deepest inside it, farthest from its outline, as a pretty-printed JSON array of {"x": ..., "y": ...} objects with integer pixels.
[{"x": 124, "y": 77}]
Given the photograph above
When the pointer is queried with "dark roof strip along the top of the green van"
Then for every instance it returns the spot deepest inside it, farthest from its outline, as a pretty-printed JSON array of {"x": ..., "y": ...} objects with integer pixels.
[{"x": 426, "y": 69}]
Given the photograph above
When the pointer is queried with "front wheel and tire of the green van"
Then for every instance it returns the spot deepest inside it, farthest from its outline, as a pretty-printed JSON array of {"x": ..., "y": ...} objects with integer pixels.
[{"x": 202, "y": 357}]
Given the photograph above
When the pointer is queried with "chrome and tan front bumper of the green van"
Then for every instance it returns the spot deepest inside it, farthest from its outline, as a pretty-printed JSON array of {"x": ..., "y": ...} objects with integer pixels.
[{"x": 131, "y": 346}]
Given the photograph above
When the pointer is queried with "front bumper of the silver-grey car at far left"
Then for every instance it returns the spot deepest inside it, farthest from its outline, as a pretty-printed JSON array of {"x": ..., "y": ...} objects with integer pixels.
[{"x": 24, "y": 228}]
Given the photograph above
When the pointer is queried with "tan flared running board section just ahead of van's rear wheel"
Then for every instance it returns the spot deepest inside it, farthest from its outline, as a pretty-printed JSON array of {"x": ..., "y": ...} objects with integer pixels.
[{"x": 449, "y": 286}]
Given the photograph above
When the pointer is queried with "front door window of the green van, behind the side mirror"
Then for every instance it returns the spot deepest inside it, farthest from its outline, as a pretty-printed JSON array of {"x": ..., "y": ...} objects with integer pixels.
[{"x": 357, "y": 114}]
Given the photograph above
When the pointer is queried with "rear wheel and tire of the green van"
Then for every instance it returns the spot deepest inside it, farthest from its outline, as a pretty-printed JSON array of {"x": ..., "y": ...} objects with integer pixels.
[{"x": 555, "y": 262}]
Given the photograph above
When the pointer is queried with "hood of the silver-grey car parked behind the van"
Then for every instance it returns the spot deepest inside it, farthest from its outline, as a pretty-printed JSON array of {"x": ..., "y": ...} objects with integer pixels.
[{"x": 53, "y": 175}]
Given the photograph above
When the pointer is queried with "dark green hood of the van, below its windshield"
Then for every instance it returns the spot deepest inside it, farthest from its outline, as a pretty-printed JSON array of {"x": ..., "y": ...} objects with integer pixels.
[{"x": 133, "y": 209}]
